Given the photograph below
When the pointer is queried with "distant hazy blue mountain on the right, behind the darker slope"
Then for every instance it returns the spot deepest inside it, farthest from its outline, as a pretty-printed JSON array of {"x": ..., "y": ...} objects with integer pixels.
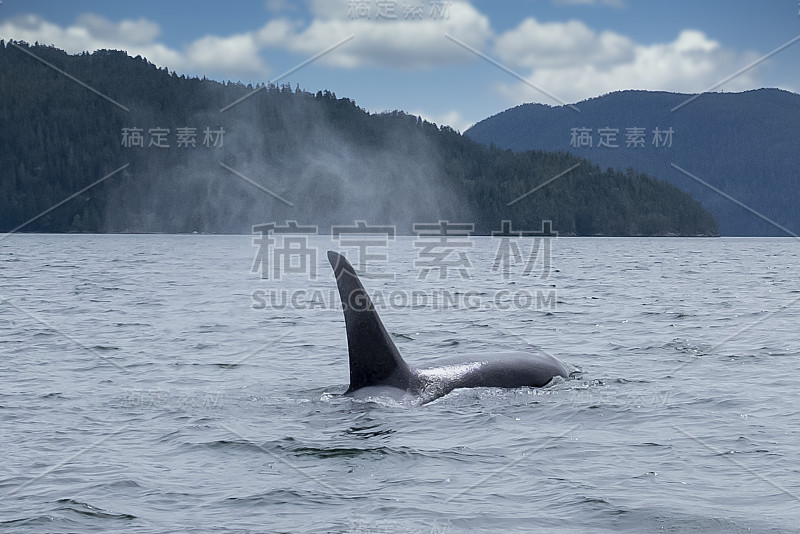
[{"x": 746, "y": 145}]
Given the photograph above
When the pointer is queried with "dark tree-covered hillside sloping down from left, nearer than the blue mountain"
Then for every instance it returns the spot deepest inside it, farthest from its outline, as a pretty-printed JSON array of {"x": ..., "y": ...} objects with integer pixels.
[{"x": 198, "y": 155}]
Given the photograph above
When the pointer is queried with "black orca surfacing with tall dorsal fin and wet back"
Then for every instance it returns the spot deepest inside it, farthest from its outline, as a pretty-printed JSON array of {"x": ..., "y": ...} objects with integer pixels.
[{"x": 377, "y": 369}]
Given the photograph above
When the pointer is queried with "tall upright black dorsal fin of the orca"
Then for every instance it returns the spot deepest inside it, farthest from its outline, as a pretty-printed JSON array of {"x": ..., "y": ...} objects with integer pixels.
[{"x": 374, "y": 359}]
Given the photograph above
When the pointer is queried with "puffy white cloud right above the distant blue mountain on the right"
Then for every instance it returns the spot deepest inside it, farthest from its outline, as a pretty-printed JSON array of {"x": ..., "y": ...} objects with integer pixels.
[{"x": 573, "y": 62}]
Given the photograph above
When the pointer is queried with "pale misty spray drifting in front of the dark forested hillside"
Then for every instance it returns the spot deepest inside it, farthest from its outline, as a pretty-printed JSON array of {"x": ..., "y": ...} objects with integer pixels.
[{"x": 282, "y": 156}]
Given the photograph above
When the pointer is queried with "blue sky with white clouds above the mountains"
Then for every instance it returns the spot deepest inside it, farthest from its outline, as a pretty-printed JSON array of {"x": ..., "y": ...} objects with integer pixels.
[{"x": 399, "y": 58}]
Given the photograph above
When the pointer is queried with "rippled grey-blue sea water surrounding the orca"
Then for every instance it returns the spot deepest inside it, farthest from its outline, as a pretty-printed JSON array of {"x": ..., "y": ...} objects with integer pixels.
[{"x": 153, "y": 384}]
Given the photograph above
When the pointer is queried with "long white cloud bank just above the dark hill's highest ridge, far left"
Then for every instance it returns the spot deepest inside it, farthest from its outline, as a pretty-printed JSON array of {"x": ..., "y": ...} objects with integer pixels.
[{"x": 234, "y": 56}]
